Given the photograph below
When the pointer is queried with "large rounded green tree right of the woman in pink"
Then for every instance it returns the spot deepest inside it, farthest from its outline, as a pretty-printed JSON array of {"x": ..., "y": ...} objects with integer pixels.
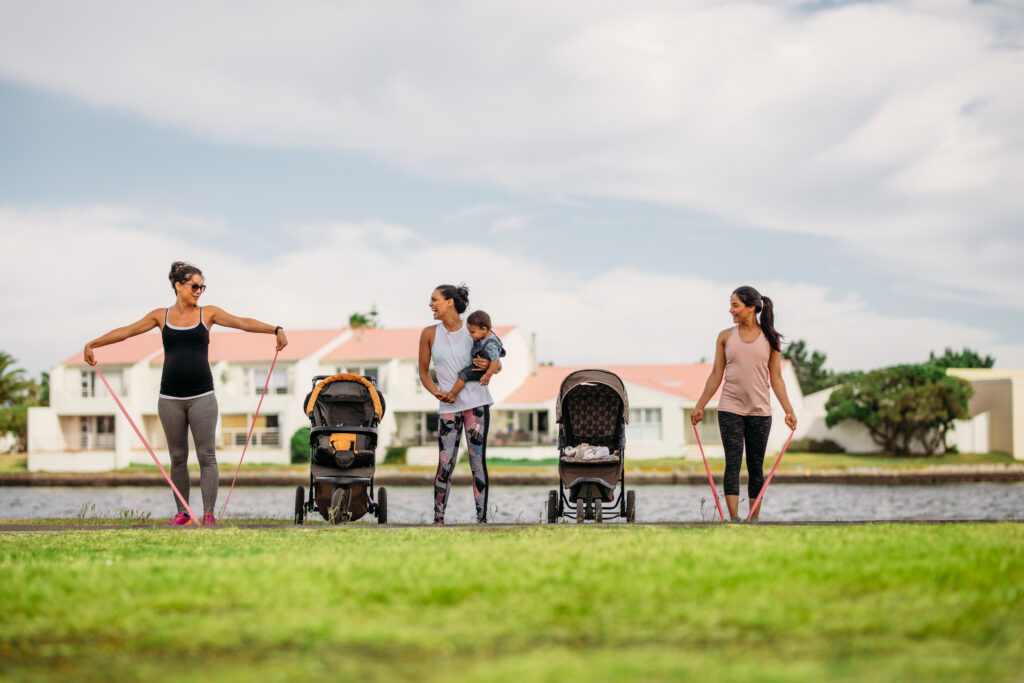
[{"x": 902, "y": 406}]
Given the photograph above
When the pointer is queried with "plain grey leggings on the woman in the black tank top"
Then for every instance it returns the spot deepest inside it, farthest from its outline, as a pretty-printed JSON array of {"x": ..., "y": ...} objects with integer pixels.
[{"x": 178, "y": 416}]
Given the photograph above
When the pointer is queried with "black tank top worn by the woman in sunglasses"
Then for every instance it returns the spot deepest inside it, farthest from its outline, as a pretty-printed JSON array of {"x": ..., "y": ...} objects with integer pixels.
[{"x": 187, "y": 361}]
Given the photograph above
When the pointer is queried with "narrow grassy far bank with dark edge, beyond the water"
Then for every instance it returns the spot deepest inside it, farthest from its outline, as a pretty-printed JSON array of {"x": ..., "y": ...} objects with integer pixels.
[{"x": 540, "y": 477}]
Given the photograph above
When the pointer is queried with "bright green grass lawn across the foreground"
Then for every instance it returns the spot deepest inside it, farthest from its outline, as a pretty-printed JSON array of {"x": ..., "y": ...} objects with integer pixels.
[{"x": 717, "y": 603}]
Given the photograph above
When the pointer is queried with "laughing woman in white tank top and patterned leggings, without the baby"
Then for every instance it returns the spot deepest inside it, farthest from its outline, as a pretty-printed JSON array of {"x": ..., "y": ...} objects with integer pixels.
[{"x": 449, "y": 346}]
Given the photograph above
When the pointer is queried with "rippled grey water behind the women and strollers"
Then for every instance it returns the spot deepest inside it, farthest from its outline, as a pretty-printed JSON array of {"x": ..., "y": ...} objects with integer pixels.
[{"x": 528, "y": 504}]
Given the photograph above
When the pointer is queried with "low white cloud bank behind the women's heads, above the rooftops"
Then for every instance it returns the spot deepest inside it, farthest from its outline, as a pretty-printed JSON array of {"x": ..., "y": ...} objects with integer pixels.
[{"x": 81, "y": 272}]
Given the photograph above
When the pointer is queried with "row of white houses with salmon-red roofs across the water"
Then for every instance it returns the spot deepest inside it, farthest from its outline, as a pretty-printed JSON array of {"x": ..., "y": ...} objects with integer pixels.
[{"x": 83, "y": 431}]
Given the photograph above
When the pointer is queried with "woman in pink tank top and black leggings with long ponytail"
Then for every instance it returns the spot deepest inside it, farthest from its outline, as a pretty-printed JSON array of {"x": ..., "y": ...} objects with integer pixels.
[{"x": 748, "y": 357}]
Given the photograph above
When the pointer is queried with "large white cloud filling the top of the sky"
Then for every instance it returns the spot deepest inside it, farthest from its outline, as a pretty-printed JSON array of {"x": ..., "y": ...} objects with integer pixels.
[{"x": 895, "y": 127}]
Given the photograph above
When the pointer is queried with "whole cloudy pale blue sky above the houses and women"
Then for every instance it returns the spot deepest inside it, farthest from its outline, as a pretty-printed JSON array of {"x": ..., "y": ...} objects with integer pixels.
[{"x": 603, "y": 175}]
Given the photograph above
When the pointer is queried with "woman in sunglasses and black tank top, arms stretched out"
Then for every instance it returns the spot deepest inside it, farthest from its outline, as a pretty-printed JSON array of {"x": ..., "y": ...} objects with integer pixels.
[{"x": 187, "y": 398}]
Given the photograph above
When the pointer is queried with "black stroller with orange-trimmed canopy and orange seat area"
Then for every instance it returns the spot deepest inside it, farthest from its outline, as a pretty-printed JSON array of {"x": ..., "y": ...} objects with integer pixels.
[{"x": 345, "y": 413}]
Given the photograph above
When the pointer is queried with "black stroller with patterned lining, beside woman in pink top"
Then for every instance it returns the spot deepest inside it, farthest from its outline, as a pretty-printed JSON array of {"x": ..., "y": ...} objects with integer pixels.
[{"x": 592, "y": 409}]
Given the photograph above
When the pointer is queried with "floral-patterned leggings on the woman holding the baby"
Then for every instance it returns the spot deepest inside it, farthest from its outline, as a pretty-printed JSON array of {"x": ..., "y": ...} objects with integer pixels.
[{"x": 450, "y": 428}]
